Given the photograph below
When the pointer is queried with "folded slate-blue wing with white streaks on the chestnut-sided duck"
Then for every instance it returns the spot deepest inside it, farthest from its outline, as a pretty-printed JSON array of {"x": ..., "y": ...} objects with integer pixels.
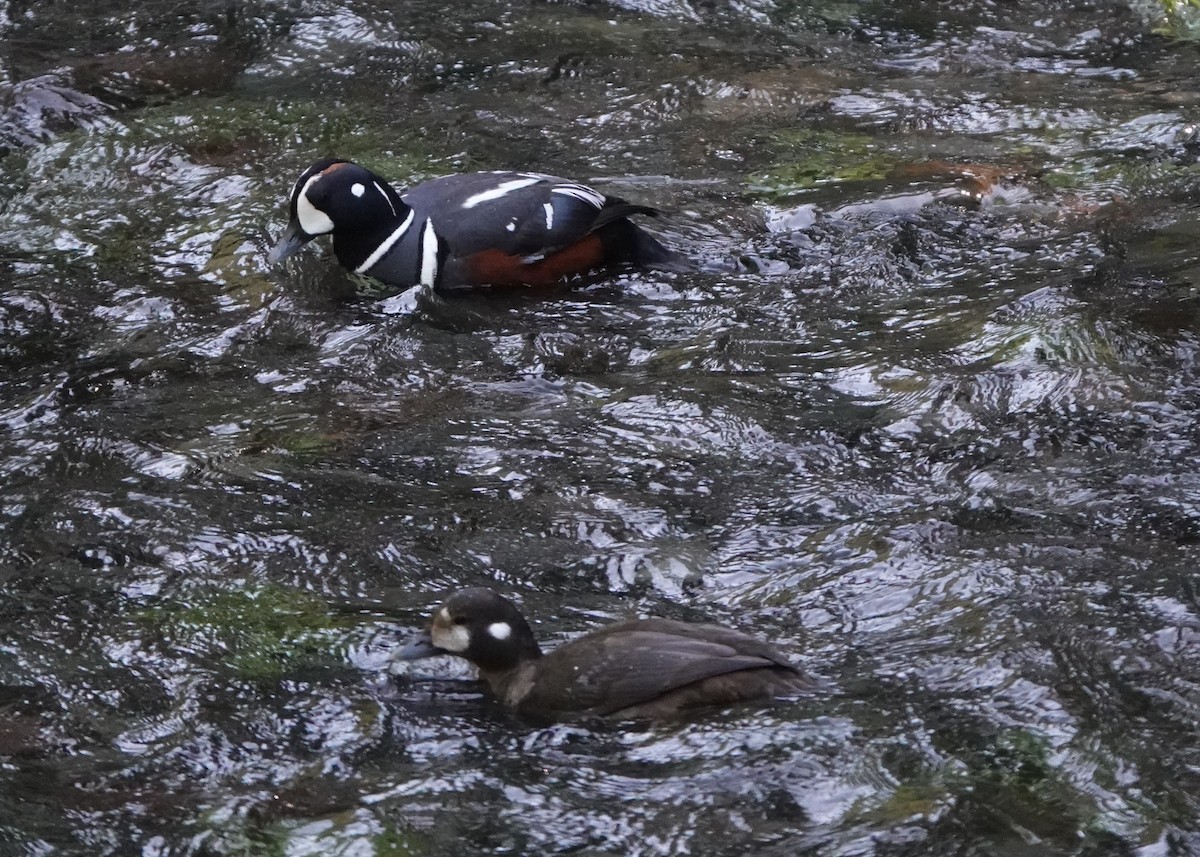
[{"x": 526, "y": 215}]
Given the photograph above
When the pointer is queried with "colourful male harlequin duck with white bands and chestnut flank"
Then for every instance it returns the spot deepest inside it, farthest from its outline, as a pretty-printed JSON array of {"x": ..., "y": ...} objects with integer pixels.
[{"x": 469, "y": 231}]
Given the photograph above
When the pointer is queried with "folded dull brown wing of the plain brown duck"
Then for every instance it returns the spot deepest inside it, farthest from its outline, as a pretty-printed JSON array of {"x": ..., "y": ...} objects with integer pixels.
[{"x": 637, "y": 662}]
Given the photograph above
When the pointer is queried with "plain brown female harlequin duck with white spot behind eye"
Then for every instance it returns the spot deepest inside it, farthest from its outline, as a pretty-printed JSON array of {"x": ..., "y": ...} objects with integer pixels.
[{"x": 631, "y": 670}]
